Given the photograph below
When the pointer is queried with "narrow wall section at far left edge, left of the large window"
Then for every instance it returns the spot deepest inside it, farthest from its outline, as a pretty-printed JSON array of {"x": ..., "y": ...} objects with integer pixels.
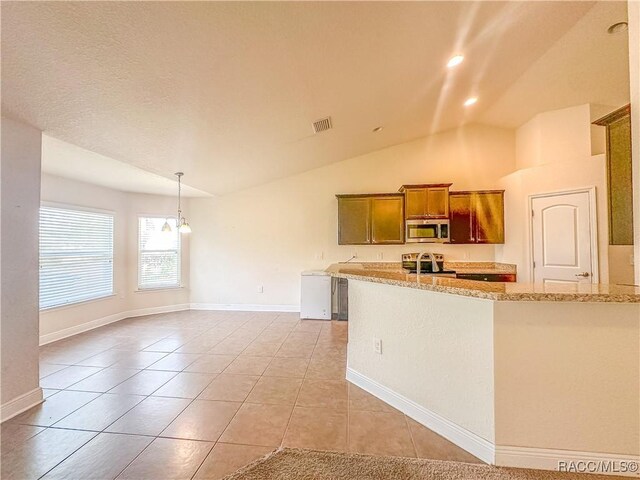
[{"x": 20, "y": 200}]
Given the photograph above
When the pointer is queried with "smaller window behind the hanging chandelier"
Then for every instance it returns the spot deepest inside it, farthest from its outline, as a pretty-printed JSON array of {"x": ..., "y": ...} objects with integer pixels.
[{"x": 159, "y": 254}]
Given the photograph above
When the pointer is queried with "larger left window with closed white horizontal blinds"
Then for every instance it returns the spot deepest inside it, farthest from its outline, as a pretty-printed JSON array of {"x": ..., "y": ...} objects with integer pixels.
[{"x": 76, "y": 256}]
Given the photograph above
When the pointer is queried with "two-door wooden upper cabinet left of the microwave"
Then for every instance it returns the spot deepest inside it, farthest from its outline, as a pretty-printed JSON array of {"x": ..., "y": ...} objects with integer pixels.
[{"x": 370, "y": 219}]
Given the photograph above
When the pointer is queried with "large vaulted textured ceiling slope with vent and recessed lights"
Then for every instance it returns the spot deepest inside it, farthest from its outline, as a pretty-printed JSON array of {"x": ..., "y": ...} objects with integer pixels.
[{"x": 227, "y": 92}]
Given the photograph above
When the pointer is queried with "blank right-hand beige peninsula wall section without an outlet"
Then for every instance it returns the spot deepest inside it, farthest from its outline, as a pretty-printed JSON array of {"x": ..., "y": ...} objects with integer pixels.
[{"x": 567, "y": 376}]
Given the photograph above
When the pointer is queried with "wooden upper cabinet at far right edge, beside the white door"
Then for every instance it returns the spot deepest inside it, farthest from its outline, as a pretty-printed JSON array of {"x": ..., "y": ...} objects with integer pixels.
[{"x": 619, "y": 175}]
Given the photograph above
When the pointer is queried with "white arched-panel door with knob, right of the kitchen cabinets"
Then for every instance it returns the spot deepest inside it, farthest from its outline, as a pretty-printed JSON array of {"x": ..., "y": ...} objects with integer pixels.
[{"x": 562, "y": 250}]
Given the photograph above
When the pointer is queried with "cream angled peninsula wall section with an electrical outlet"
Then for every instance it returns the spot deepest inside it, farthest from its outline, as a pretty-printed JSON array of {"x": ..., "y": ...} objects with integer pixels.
[{"x": 437, "y": 350}]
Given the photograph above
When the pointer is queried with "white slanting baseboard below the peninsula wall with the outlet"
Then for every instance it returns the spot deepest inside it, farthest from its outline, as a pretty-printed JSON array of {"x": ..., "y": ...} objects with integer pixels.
[{"x": 469, "y": 441}]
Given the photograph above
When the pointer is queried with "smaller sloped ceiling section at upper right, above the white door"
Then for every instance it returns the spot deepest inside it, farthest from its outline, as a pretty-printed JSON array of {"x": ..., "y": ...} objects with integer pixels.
[{"x": 586, "y": 65}]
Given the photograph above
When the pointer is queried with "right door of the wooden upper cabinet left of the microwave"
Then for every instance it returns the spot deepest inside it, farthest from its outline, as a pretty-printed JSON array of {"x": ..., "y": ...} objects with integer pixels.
[{"x": 387, "y": 220}]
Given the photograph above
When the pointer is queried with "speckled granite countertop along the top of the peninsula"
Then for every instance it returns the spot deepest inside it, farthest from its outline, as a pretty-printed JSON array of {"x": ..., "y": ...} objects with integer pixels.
[{"x": 391, "y": 274}]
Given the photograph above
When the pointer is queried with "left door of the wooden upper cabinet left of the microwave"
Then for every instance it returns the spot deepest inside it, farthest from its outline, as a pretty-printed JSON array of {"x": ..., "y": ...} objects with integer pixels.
[{"x": 354, "y": 224}]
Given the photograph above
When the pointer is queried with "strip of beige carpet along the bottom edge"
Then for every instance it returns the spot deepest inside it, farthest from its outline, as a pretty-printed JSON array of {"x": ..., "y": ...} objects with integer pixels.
[{"x": 293, "y": 463}]
